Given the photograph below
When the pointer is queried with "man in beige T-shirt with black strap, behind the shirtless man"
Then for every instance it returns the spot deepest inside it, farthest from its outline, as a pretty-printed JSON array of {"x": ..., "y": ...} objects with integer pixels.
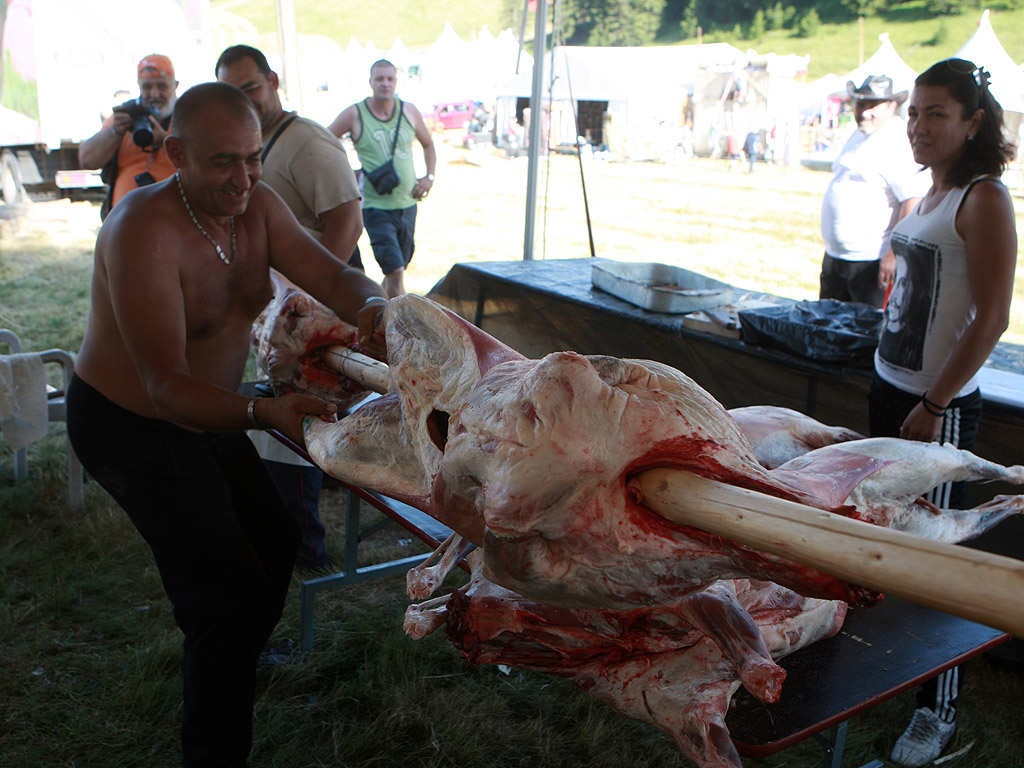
[{"x": 310, "y": 169}]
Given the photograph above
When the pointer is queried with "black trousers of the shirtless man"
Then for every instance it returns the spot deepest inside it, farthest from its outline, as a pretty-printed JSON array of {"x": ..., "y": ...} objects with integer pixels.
[{"x": 224, "y": 543}]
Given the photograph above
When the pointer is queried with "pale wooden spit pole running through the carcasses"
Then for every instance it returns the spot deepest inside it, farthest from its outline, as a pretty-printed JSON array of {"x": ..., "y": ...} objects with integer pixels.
[{"x": 978, "y": 586}]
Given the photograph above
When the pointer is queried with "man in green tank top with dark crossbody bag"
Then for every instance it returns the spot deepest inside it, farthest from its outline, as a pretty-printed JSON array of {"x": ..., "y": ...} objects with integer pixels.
[{"x": 390, "y": 219}]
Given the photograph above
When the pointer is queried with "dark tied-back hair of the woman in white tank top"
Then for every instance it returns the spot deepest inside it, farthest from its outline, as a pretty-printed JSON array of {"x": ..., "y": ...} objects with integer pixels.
[{"x": 990, "y": 152}]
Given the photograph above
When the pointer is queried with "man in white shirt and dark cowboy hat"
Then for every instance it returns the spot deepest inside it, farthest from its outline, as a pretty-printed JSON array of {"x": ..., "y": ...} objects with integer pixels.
[{"x": 876, "y": 183}]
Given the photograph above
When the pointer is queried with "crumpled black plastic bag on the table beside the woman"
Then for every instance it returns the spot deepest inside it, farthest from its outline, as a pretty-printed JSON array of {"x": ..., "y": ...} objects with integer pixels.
[{"x": 828, "y": 331}]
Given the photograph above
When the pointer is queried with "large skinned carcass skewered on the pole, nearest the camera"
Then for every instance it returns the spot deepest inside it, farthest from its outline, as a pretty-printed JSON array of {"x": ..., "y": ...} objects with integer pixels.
[{"x": 531, "y": 459}]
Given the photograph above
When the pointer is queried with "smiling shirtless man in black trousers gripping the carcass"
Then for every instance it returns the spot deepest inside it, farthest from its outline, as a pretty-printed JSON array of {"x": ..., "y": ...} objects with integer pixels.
[{"x": 182, "y": 271}]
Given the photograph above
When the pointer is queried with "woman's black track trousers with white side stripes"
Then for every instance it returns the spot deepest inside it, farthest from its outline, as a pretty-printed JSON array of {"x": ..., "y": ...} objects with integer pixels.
[{"x": 888, "y": 407}]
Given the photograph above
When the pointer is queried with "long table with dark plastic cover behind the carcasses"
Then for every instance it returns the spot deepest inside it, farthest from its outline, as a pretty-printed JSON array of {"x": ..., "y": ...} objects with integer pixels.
[{"x": 539, "y": 308}]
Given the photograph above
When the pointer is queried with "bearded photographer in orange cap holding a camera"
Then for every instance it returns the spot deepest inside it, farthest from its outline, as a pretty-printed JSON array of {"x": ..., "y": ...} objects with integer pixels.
[{"x": 131, "y": 146}]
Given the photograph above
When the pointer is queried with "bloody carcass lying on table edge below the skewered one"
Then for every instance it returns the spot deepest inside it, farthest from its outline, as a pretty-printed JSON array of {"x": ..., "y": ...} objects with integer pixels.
[{"x": 675, "y": 666}]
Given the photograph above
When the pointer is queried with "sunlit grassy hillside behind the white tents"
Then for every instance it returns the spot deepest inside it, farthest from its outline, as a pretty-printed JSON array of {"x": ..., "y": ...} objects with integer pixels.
[{"x": 920, "y": 38}]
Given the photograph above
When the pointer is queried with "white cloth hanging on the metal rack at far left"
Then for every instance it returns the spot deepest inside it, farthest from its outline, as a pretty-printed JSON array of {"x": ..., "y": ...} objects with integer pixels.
[{"x": 24, "y": 412}]
